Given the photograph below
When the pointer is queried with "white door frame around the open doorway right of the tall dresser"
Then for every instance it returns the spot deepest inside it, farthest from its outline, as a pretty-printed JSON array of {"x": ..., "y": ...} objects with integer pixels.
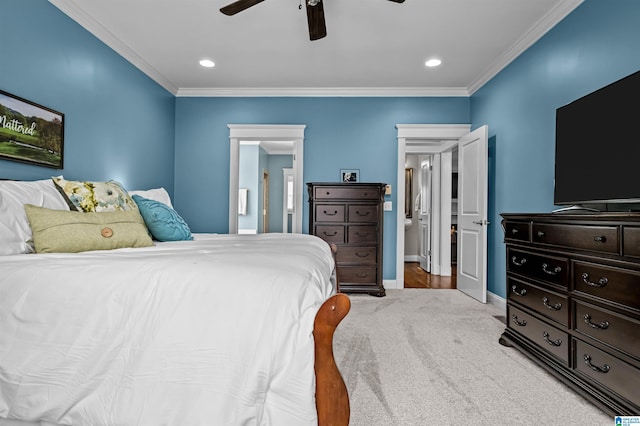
[{"x": 418, "y": 138}]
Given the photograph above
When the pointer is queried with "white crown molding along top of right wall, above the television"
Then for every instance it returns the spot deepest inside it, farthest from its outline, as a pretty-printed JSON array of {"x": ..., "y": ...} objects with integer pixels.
[{"x": 557, "y": 14}]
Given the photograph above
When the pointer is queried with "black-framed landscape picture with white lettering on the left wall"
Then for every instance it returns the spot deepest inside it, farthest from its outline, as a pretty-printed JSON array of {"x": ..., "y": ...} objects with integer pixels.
[{"x": 30, "y": 133}]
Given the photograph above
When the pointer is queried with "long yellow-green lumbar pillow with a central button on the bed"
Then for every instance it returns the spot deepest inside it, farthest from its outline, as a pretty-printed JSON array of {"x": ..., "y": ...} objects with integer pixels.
[{"x": 56, "y": 231}]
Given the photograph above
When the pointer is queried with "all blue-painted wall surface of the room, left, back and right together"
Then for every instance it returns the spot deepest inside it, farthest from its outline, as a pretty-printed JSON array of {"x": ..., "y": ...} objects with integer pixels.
[{"x": 120, "y": 124}]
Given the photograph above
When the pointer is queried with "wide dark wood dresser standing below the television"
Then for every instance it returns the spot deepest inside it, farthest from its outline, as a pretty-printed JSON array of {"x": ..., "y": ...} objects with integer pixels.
[{"x": 573, "y": 301}]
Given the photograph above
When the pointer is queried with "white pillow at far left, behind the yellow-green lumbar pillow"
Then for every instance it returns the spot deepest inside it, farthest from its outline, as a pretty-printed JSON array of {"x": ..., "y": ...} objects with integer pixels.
[{"x": 15, "y": 232}]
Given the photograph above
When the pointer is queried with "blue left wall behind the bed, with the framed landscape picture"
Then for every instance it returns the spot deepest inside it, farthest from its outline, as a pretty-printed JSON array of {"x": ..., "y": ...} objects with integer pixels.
[{"x": 119, "y": 124}]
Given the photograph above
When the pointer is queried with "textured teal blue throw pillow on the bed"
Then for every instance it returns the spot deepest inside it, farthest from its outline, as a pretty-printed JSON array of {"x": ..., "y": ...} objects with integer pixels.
[{"x": 164, "y": 223}]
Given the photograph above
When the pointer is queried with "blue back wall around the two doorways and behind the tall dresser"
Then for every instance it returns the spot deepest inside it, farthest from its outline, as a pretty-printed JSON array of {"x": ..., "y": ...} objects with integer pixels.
[{"x": 341, "y": 133}]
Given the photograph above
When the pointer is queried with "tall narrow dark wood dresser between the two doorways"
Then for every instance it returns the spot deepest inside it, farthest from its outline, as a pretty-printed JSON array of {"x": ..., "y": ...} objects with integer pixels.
[{"x": 350, "y": 215}]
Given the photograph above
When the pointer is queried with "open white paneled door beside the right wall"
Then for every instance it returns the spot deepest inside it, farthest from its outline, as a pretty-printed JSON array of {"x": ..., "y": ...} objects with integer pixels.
[{"x": 472, "y": 214}]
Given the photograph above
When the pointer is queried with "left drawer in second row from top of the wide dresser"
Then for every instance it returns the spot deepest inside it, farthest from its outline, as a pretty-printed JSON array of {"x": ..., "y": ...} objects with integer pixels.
[{"x": 539, "y": 266}]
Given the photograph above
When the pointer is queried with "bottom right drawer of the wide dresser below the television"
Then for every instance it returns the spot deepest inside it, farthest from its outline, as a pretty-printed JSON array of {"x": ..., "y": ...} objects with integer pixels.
[{"x": 607, "y": 370}]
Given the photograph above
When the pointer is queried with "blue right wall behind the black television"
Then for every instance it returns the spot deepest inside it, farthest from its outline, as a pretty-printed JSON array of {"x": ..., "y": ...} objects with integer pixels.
[{"x": 595, "y": 45}]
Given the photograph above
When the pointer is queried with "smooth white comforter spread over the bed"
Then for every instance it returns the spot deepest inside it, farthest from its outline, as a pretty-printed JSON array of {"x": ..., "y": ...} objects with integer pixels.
[{"x": 208, "y": 332}]
